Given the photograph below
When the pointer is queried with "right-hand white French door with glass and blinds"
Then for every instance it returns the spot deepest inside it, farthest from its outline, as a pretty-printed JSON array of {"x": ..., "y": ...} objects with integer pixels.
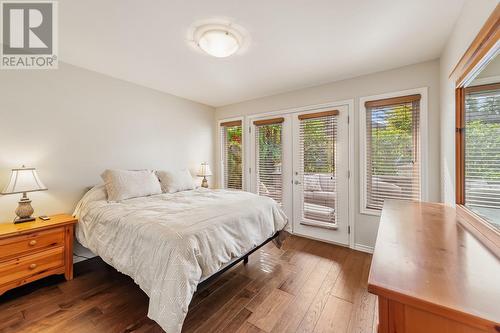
[{"x": 320, "y": 174}]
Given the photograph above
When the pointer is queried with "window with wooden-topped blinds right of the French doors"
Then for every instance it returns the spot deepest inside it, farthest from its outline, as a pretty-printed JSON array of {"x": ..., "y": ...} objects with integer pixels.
[{"x": 393, "y": 160}]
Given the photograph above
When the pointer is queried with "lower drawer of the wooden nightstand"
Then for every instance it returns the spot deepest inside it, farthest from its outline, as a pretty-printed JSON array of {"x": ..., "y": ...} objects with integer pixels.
[{"x": 26, "y": 266}]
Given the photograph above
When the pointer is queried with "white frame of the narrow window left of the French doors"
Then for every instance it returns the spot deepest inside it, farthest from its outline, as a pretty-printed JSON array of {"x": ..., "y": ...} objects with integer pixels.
[{"x": 220, "y": 152}]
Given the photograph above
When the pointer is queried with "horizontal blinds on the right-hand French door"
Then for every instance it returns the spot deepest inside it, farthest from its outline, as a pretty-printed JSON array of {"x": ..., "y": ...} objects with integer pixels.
[{"x": 317, "y": 139}]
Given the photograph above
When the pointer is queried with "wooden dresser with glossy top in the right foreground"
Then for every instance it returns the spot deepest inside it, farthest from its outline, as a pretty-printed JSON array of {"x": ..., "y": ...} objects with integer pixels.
[{"x": 431, "y": 275}]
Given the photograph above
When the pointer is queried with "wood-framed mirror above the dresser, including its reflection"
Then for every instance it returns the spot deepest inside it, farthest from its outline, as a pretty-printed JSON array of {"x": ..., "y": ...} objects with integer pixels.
[{"x": 476, "y": 182}]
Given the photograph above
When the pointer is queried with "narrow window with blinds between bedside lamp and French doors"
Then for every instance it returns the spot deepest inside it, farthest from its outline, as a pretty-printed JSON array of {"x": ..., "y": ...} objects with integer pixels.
[{"x": 232, "y": 154}]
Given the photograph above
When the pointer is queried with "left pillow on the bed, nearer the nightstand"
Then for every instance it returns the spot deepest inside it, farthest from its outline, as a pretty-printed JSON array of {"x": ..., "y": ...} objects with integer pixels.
[{"x": 125, "y": 184}]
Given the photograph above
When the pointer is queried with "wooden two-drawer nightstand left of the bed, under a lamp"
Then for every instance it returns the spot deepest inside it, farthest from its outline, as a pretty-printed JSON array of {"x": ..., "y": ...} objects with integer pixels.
[{"x": 33, "y": 250}]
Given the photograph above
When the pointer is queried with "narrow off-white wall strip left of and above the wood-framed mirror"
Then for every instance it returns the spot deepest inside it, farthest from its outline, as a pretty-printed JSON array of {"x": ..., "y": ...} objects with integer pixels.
[{"x": 474, "y": 14}]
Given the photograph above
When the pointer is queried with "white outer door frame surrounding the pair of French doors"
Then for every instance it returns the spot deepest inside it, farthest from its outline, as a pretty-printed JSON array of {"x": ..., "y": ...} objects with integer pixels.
[{"x": 351, "y": 187}]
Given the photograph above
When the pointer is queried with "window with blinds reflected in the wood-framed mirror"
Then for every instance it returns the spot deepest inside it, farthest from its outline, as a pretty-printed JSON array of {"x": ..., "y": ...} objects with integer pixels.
[{"x": 482, "y": 151}]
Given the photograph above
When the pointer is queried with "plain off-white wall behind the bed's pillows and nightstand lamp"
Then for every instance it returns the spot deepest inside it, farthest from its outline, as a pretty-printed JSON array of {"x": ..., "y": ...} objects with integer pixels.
[{"x": 72, "y": 124}]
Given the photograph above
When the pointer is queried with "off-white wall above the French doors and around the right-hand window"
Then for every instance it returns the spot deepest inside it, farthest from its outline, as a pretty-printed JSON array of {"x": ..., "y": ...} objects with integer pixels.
[{"x": 414, "y": 76}]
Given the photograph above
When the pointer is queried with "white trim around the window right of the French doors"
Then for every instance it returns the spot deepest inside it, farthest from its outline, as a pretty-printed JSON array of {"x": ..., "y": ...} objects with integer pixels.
[{"x": 424, "y": 141}]
